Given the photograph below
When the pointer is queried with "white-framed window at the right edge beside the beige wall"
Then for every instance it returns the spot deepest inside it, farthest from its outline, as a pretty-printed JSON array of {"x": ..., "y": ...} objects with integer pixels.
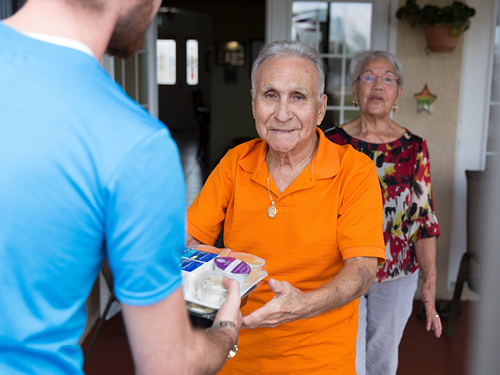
[{"x": 473, "y": 119}]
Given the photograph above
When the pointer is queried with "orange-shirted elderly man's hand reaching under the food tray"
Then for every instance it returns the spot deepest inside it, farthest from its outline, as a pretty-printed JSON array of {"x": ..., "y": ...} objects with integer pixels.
[{"x": 287, "y": 305}]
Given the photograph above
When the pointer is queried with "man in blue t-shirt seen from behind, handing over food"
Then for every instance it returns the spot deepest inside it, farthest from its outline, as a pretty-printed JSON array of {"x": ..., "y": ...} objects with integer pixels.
[{"x": 86, "y": 174}]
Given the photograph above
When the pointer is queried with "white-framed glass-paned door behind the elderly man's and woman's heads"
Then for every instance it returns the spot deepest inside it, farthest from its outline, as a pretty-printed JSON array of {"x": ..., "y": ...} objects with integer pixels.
[{"x": 337, "y": 30}]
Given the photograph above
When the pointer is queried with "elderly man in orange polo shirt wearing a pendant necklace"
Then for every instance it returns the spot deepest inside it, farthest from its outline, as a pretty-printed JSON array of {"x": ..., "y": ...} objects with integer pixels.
[{"x": 310, "y": 208}]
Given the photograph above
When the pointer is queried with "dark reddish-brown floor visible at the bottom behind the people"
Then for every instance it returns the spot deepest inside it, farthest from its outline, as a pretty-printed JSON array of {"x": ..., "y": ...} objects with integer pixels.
[{"x": 420, "y": 352}]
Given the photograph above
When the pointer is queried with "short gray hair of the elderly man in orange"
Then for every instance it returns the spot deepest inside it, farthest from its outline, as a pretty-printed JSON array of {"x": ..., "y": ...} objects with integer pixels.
[{"x": 291, "y": 49}]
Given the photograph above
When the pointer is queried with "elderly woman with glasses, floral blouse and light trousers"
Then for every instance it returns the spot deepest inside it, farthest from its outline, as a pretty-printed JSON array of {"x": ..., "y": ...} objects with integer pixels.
[{"x": 410, "y": 224}]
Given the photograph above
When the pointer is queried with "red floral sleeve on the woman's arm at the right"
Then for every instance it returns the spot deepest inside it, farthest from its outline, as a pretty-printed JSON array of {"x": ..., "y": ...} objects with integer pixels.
[{"x": 424, "y": 221}]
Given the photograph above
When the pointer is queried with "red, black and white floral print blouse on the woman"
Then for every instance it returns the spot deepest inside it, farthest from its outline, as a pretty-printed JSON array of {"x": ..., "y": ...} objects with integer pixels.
[{"x": 403, "y": 168}]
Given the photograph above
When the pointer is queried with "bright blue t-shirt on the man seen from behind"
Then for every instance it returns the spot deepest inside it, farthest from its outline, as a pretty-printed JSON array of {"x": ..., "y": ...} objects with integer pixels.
[{"x": 85, "y": 173}]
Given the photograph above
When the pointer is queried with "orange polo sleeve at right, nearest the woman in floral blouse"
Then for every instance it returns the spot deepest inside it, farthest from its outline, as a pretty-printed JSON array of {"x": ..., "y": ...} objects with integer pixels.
[{"x": 360, "y": 218}]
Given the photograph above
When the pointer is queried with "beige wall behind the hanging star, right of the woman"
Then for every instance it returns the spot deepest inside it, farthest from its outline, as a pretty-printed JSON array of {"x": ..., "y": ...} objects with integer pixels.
[{"x": 441, "y": 72}]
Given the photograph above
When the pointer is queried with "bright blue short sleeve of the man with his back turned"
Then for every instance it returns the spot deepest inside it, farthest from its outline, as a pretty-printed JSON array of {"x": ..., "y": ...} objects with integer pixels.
[{"x": 145, "y": 221}]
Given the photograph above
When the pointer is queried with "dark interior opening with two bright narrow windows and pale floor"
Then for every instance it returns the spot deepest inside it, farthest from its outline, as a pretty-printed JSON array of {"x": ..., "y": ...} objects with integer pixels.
[{"x": 184, "y": 56}]
